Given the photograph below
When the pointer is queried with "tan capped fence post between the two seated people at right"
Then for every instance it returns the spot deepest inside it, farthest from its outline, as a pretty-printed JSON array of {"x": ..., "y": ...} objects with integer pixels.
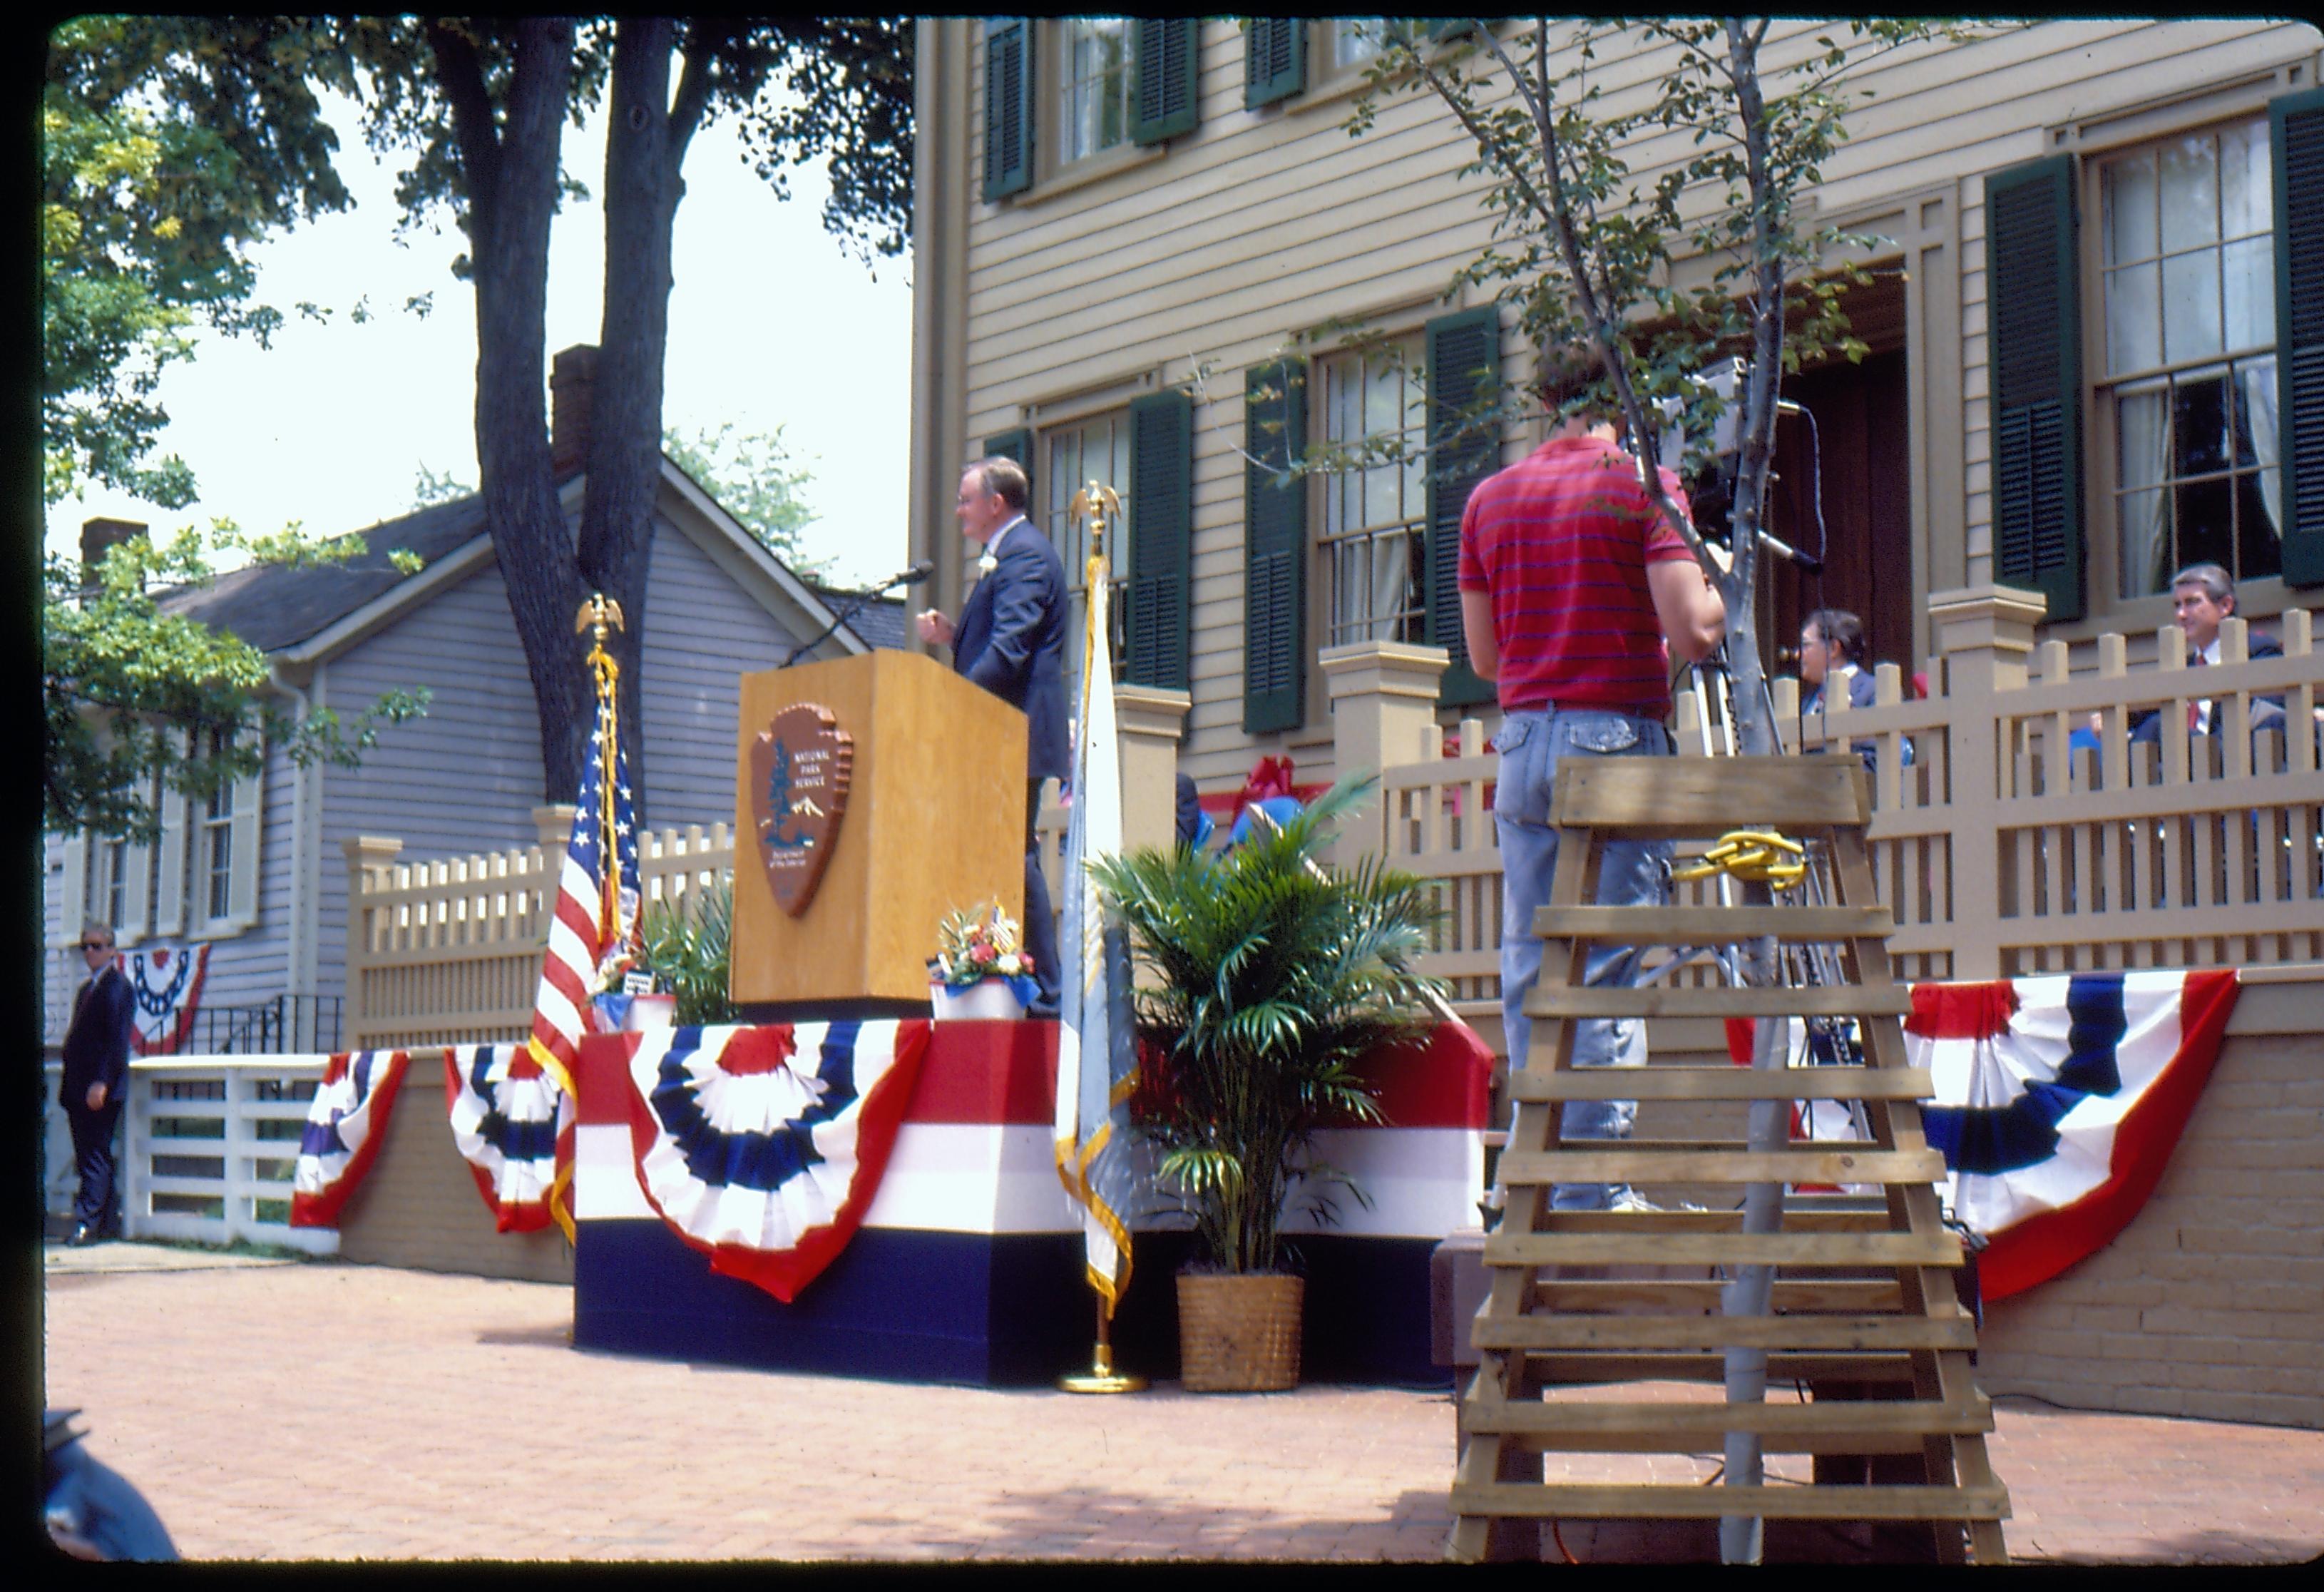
[{"x": 1984, "y": 640}]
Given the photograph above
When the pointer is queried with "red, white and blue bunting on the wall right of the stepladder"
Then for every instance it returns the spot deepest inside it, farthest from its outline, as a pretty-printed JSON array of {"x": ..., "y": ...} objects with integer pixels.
[{"x": 2058, "y": 1105}]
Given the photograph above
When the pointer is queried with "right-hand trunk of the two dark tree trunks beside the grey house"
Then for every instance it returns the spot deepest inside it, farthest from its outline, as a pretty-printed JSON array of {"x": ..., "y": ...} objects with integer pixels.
[{"x": 643, "y": 157}]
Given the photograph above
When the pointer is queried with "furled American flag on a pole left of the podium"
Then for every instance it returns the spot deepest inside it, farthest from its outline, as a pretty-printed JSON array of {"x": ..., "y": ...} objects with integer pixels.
[{"x": 594, "y": 922}]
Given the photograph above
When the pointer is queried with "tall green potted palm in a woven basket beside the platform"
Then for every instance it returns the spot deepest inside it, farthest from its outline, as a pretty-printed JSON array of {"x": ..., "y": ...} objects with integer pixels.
[{"x": 1270, "y": 977}]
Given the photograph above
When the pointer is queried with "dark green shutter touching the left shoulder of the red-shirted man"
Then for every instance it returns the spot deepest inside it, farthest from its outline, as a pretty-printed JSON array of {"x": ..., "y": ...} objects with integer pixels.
[{"x": 1465, "y": 366}]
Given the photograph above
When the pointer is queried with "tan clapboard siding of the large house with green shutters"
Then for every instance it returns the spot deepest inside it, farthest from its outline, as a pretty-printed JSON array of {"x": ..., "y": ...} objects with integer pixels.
[{"x": 1275, "y": 222}]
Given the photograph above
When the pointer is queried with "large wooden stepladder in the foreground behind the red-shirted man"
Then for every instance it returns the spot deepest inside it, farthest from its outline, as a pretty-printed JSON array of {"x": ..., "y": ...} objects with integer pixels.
[{"x": 1863, "y": 1286}]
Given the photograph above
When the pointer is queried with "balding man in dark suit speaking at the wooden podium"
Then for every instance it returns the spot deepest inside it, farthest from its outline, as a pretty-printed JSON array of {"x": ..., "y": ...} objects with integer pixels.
[{"x": 1012, "y": 643}]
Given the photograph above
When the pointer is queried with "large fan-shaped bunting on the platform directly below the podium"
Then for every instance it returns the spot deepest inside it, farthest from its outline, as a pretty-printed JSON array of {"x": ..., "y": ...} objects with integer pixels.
[{"x": 763, "y": 1147}]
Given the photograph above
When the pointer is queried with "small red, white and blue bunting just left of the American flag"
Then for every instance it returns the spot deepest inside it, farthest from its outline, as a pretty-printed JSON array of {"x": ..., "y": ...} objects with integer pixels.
[{"x": 515, "y": 1131}]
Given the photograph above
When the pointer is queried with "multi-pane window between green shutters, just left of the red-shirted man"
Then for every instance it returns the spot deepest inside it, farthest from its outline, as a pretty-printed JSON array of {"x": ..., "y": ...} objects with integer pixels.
[{"x": 1372, "y": 517}]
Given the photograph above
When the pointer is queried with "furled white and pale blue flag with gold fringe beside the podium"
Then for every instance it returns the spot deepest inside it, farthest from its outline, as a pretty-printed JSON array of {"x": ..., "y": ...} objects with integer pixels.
[{"x": 1096, "y": 1031}]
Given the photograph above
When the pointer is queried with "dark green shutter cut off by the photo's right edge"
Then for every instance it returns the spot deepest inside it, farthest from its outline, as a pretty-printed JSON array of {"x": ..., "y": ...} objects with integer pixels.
[{"x": 2297, "y": 134}]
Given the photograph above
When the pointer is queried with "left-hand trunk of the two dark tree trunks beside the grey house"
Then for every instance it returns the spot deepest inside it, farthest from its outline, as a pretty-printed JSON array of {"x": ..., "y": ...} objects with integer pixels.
[{"x": 512, "y": 196}]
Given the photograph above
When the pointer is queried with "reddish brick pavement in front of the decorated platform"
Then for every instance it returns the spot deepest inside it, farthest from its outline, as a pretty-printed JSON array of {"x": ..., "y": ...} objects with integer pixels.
[{"x": 257, "y": 1405}]
